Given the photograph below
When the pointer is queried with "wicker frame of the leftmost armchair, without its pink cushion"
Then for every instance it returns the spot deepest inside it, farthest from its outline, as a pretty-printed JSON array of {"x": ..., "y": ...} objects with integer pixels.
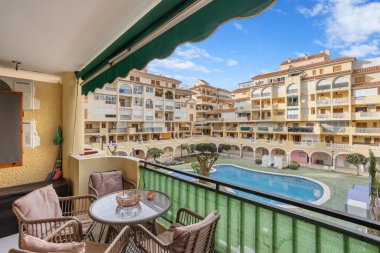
[{"x": 74, "y": 208}]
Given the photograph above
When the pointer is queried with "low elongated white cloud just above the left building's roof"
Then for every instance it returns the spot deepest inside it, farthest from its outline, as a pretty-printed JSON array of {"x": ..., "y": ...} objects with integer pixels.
[{"x": 178, "y": 64}]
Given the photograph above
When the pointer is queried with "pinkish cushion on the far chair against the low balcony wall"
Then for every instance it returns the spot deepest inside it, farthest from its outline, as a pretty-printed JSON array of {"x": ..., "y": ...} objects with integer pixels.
[{"x": 107, "y": 182}]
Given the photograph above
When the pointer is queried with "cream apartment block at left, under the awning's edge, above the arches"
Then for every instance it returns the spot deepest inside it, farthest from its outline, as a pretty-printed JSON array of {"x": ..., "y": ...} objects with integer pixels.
[{"x": 140, "y": 107}]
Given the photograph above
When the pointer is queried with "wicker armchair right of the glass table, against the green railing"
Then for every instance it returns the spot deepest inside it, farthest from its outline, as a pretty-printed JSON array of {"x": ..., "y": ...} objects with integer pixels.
[{"x": 197, "y": 235}]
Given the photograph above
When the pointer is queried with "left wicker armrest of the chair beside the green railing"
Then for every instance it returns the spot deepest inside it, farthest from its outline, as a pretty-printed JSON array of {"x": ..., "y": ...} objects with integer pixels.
[{"x": 146, "y": 240}]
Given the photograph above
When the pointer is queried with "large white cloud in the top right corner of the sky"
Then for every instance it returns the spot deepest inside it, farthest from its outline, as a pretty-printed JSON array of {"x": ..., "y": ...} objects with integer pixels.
[{"x": 351, "y": 26}]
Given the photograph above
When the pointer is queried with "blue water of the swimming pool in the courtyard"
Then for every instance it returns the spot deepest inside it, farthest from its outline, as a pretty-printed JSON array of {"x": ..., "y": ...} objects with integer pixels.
[{"x": 288, "y": 186}]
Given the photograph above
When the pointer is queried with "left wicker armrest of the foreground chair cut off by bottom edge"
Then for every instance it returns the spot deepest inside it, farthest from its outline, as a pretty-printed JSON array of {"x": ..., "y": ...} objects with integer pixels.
[{"x": 69, "y": 232}]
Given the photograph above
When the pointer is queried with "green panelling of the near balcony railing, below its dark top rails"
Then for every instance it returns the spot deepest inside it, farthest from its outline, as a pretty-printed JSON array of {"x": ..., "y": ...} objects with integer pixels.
[{"x": 247, "y": 226}]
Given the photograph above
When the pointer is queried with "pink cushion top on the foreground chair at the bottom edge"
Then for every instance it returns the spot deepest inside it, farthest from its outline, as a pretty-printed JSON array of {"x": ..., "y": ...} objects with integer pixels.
[{"x": 34, "y": 244}]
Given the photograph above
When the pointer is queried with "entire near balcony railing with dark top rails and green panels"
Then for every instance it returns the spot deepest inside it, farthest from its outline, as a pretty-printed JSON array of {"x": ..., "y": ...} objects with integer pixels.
[{"x": 250, "y": 222}]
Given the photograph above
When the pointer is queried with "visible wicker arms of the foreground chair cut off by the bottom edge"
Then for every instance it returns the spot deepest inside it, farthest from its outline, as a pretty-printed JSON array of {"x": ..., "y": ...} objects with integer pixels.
[{"x": 64, "y": 233}]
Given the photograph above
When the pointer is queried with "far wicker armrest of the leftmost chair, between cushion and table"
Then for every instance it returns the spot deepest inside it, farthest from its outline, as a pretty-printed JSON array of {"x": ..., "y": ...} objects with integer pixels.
[{"x": 76, "y": 205}]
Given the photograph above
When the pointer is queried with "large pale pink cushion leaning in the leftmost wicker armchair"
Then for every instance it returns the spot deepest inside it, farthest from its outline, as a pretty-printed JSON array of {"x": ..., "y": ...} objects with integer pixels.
[{"x": 31, "y": 204}]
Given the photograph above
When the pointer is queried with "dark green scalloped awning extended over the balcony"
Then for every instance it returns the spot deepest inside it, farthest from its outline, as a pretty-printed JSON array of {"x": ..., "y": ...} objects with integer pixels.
[{"x": 196, "y": 27}]
